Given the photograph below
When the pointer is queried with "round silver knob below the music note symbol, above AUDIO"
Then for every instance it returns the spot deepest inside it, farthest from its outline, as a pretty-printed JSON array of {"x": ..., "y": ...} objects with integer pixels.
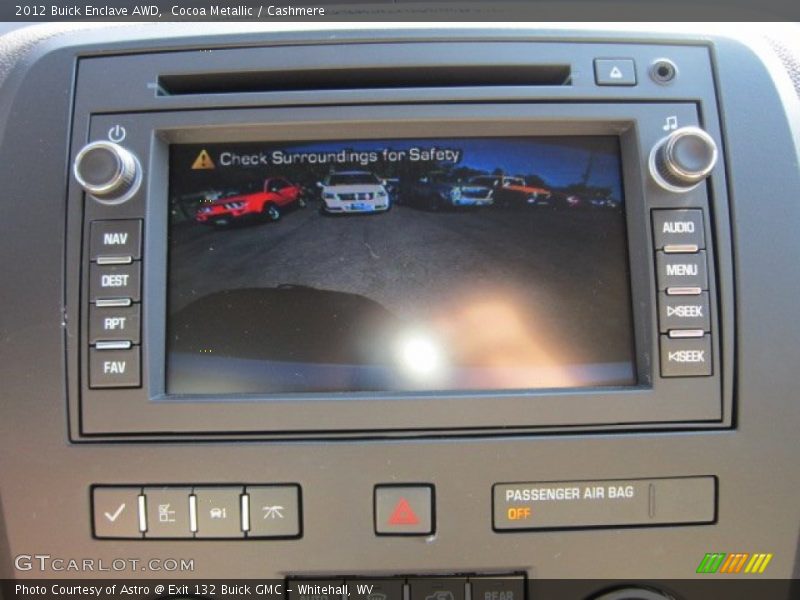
[{"x": 683, "y": 159}]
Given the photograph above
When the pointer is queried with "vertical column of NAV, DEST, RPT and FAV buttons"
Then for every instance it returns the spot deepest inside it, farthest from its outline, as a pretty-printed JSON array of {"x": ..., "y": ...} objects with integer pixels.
[{"x": 115, "y": 252}]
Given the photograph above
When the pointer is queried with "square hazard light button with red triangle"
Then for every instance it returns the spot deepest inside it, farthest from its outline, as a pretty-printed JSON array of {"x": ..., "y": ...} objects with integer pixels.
[{"x": 404, "y": 510}]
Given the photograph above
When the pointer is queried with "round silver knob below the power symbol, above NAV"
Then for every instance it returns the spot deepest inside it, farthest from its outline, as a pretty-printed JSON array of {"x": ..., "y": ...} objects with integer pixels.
[{"x": 107, "y": 171}]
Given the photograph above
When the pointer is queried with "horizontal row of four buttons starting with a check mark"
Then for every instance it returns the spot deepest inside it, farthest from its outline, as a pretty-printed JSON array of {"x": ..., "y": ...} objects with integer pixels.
[{"x": 212, "y": 512}]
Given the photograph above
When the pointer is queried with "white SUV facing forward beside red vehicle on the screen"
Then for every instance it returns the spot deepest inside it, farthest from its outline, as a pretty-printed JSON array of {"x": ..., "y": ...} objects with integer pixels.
[{"x": 354, "y": 192}]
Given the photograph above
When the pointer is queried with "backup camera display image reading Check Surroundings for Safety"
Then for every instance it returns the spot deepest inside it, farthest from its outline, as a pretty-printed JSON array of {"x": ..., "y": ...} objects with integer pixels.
[{"x": 398, "y": 265}]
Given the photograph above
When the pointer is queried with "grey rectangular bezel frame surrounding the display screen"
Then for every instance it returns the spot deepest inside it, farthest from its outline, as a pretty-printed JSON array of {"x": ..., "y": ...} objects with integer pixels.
[{"x": 653, "y": 399}]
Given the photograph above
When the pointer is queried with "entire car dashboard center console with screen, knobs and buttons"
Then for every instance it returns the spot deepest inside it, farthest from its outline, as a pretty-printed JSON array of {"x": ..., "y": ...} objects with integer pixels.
[{"x": 460, "y": 304}]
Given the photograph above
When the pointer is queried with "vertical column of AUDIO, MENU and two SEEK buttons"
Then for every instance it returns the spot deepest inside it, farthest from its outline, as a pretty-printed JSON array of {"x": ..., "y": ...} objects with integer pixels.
[{"x": 683, "y": 298}]
